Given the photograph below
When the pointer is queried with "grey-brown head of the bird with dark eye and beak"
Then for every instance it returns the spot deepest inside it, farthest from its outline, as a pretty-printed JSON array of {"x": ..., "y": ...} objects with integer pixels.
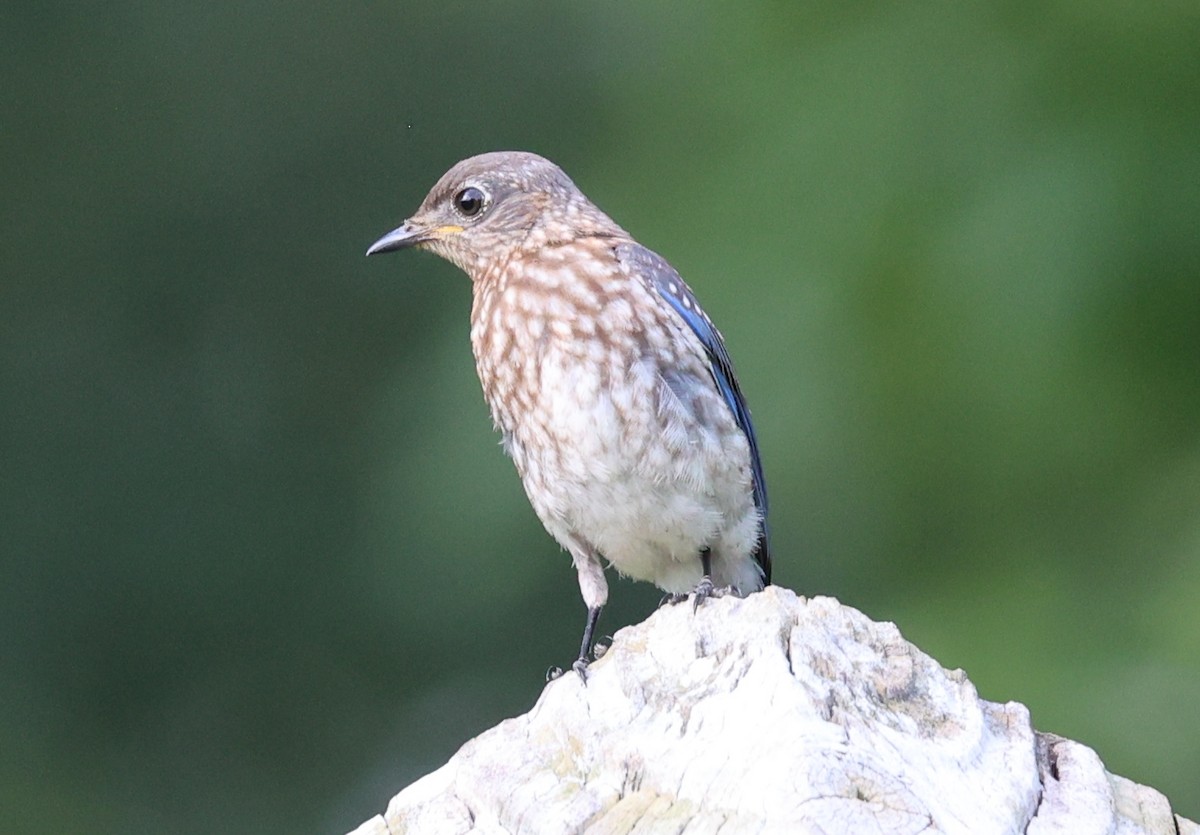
[{"x": 490, "y": 206}]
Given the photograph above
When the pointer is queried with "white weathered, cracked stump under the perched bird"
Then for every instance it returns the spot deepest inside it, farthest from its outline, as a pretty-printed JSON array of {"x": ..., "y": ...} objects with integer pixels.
[{"x": 771, "y": 714}]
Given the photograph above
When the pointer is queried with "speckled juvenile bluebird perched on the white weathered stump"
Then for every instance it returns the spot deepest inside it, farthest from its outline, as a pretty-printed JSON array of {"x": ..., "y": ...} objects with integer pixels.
[{"x": 613, "y": 389}]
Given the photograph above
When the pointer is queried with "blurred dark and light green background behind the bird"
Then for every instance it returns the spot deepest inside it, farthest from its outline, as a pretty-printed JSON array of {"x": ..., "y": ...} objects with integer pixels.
[{"x": 263, "y": 562}]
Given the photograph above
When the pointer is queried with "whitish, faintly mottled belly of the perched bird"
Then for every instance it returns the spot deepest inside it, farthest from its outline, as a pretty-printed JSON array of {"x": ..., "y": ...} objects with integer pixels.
[{"x": 645, "y": 479}]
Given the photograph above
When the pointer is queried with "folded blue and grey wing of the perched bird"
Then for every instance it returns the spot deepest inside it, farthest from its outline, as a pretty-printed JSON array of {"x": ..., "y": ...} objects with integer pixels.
[{"x": 662, "y": 279}]
